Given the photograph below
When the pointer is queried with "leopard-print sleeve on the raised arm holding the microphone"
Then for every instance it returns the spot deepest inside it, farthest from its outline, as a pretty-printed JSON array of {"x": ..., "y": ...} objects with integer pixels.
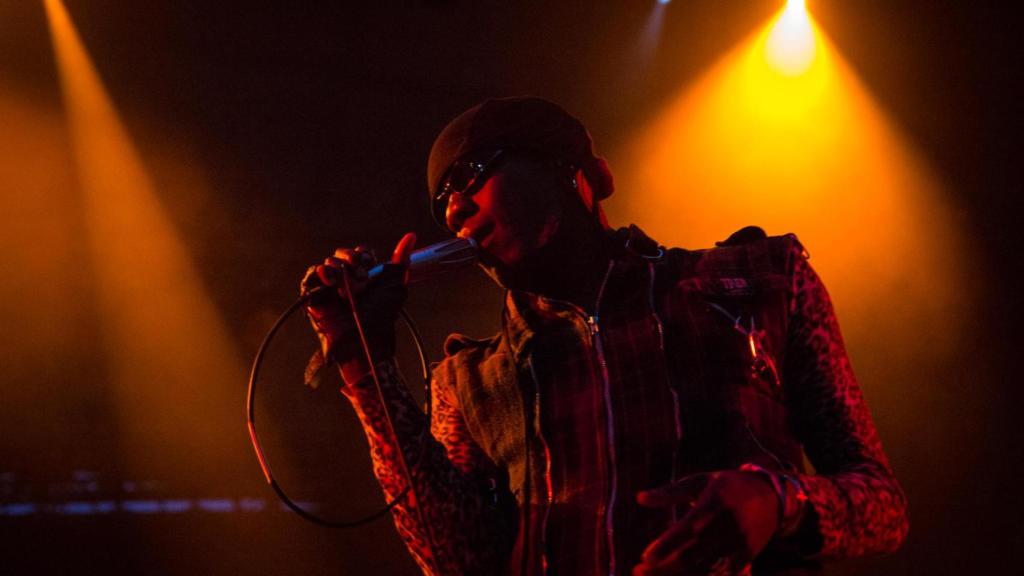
[{"x": 454, "y": 520}]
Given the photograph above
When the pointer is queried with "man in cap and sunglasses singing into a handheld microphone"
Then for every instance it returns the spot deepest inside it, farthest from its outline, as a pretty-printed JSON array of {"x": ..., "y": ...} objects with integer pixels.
[{"x": 643, "y": 410}]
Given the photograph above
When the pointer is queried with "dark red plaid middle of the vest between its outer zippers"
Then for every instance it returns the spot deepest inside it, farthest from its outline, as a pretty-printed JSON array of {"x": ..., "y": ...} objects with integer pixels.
[{"x": 608, "y": 419}]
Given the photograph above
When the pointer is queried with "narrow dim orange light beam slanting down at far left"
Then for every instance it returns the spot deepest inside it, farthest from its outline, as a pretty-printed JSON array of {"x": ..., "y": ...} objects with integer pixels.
[{"x": 173, "y": 367}]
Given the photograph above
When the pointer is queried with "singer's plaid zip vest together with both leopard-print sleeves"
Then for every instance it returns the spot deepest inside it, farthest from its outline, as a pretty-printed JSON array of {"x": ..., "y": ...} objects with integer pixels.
[{"x": 694, "y": 362}]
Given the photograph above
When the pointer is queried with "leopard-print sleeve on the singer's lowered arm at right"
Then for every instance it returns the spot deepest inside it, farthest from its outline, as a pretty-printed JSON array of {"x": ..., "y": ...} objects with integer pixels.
[{"x": 857, "y": 507}]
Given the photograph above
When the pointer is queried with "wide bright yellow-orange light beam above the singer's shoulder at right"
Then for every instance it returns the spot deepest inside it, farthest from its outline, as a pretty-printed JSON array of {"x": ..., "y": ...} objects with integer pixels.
[{"x": 806, "y": 149}]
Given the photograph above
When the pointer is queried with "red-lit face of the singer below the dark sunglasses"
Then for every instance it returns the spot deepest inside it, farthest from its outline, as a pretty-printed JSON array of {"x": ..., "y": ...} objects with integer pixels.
[{"x": 513, "y": 217}]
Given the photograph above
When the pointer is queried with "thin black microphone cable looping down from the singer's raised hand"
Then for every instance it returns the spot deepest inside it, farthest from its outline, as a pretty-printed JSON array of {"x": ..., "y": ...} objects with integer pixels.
[{"x": 251, "y": 407}]
